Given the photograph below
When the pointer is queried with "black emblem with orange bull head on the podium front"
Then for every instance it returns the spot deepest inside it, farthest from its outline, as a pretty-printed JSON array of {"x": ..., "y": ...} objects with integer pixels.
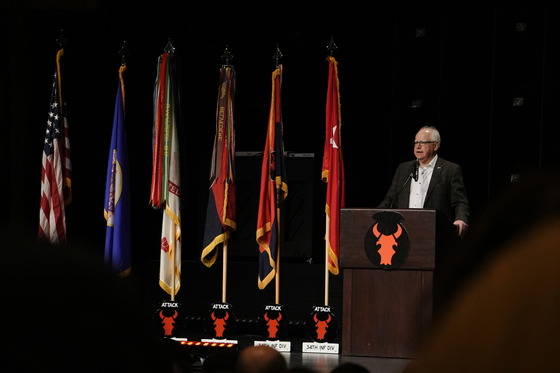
[{"x": 387, "y": 242}]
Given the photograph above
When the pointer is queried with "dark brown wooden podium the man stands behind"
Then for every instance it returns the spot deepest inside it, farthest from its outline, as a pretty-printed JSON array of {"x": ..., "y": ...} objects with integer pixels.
[{"x": 386, "y": 311}]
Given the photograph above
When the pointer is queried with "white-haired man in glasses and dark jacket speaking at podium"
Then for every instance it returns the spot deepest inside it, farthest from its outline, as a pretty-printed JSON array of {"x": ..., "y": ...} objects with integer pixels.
[{"x": 430, "y": 182}]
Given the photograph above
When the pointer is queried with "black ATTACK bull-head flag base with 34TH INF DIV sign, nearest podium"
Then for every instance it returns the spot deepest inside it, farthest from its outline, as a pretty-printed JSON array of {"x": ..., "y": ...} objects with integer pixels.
[{"x": 321, "y": 327}]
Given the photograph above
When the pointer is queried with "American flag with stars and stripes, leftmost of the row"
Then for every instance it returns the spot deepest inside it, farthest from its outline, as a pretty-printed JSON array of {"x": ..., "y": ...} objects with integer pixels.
[{"x": 56, "y": 192}]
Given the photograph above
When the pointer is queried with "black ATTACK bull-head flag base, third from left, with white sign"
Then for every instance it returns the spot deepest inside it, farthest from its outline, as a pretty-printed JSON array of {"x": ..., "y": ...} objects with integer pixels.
[{"x": 273, "y": 326}]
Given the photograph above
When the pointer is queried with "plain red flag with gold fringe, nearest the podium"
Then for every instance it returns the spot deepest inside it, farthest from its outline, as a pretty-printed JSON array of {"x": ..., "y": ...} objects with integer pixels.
[{"x": 333, "y": 169}]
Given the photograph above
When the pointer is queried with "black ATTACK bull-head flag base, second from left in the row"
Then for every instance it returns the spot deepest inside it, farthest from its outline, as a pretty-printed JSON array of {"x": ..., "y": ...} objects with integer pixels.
[{"x": 220, "y": 323}]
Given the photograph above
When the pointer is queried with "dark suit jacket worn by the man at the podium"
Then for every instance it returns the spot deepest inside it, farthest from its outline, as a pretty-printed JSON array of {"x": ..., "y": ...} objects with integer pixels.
[{"x": 446, "y": 192}]
